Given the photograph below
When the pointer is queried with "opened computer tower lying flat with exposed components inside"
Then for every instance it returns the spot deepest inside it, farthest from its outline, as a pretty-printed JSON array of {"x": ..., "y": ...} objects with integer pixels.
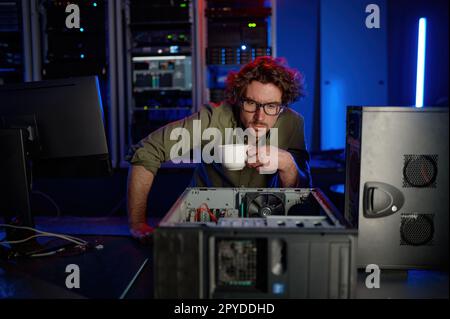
[{"x": 236, "y": 243}]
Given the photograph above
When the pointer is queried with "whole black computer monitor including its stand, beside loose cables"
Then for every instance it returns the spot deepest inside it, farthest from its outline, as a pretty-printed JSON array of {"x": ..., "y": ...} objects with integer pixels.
[{"x": 52, "y": 129}]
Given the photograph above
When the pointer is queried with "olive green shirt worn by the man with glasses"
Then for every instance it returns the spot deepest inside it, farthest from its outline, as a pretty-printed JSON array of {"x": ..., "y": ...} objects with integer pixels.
[{"x": 155, "y": 149}]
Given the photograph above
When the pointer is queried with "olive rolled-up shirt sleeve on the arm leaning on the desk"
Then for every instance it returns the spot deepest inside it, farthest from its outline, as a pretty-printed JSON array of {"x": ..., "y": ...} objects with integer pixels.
[{"x": 155, "y": 149}]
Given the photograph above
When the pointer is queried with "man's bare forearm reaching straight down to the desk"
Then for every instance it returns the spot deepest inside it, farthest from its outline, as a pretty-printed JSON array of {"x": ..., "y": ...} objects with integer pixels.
[{"x": 139, "y": 183}]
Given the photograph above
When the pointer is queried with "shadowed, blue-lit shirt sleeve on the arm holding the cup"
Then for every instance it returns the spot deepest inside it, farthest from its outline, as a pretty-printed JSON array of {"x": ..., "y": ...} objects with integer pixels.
[{"x": 297, "y": 148}]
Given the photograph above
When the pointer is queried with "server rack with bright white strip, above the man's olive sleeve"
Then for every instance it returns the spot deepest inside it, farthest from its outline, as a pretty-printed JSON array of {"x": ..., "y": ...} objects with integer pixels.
[{"x": 159, "y": 67}]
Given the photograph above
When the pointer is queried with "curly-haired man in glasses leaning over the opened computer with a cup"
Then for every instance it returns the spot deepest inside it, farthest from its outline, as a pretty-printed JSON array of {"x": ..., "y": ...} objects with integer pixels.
[{"x": 257, "y": 98}]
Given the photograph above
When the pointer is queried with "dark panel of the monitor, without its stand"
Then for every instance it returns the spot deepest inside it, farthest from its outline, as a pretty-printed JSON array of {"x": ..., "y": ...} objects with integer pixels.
[{"x": 65, "y": 120}]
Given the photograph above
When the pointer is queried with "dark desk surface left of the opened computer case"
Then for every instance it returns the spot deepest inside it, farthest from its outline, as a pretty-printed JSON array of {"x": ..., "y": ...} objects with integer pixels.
[{"x": 104, "y": 273}]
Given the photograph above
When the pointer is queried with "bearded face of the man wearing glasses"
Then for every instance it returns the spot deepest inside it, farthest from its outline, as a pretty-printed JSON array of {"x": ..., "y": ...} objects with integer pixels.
[{"x": 260, "y": 93}]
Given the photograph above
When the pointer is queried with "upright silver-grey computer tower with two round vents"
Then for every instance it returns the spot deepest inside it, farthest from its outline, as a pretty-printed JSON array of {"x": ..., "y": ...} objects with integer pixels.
[{"x": 397, "y": 185}]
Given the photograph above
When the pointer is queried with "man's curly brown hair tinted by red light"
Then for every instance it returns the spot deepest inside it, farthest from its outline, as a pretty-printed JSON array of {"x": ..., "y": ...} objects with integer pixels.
[{"x": 266, "y": 69}]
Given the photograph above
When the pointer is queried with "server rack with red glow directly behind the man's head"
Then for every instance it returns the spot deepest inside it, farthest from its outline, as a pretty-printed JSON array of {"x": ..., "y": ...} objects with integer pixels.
[{"x": 237, "y": 33}]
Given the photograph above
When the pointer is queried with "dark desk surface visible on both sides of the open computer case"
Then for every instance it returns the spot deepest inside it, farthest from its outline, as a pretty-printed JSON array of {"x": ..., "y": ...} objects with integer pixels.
[{"x": 106, "y": 273}]
